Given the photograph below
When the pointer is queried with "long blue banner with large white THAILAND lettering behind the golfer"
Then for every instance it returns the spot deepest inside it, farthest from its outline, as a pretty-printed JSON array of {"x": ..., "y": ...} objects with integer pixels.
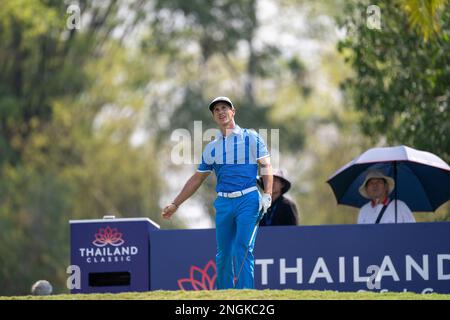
[{"x": 386, "y": 257}]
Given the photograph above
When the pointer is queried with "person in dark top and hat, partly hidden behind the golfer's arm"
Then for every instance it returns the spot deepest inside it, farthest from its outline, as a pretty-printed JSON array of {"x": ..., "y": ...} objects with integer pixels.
[{"x": 283, "y": 211}]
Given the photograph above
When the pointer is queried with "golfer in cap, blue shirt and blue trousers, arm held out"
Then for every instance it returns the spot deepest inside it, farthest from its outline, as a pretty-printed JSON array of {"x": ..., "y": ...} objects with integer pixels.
[{"x": 234, "y": 156}]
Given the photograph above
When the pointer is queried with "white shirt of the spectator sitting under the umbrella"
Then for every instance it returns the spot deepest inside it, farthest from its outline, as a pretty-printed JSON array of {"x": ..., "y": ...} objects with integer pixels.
[{"x": 369, "y": 214}]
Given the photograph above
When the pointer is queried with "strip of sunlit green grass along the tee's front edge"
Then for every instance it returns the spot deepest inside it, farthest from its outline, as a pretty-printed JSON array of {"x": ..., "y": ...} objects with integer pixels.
[{"x": 241, "y": 295}]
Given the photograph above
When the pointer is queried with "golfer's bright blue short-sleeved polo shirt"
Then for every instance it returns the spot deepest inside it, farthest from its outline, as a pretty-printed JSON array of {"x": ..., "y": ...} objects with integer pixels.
[{"x": 234, "y": 159}]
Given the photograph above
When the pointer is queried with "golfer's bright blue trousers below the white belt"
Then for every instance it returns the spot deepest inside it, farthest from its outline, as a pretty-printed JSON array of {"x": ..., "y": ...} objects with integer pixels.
[{"x": 235, "y": 222}]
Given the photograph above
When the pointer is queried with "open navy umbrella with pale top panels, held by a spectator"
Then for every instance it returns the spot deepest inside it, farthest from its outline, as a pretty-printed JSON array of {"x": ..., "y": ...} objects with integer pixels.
[{"x": 422, "y": 179}]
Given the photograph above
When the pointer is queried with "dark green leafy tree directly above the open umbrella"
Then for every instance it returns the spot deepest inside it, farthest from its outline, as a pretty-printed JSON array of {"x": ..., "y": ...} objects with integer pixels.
[{"x": 401, "y": 82}]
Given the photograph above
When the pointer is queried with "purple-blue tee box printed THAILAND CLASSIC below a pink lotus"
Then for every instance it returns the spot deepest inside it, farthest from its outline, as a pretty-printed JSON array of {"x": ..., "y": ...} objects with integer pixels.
[{"x": 113, "y": 254}]
